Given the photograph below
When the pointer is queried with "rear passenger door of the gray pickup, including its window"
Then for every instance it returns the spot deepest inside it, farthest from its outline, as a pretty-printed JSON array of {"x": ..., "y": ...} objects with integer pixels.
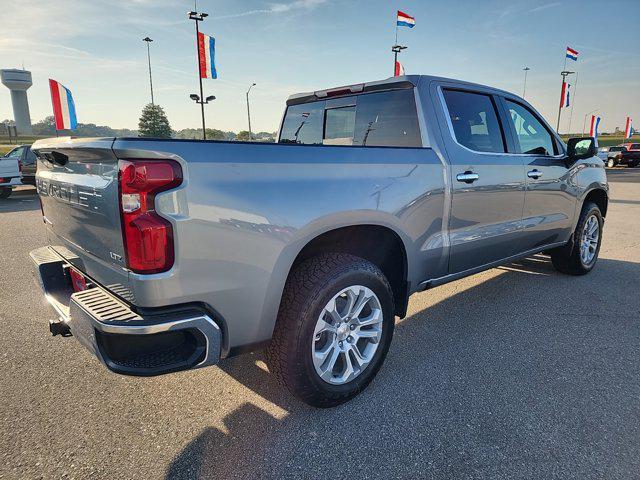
[{"x": 487, "y": 182}]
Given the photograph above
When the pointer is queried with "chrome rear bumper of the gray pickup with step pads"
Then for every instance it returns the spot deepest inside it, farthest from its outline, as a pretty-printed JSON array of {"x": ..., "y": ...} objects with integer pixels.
[{"x": 169, "y": 340}]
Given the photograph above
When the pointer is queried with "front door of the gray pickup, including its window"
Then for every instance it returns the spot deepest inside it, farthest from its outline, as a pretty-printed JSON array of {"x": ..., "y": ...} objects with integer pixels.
[{"x": 550, "y": 198}]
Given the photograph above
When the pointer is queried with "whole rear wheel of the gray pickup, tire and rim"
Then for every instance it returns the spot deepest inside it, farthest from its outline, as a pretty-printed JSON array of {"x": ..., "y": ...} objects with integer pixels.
[{"x": 334, "y": 329}]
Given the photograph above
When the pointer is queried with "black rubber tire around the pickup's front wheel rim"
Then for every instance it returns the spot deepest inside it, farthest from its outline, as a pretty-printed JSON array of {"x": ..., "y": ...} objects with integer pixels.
[{"x": 567, "y": 259}]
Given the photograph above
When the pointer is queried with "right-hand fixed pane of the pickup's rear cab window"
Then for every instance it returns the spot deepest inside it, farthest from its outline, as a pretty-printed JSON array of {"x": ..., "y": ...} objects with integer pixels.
[{"x": 387, "y": 119}]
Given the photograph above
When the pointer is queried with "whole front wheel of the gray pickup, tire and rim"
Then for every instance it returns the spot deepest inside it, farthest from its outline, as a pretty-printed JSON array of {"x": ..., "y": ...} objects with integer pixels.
[{"x": 579, "y": 256}]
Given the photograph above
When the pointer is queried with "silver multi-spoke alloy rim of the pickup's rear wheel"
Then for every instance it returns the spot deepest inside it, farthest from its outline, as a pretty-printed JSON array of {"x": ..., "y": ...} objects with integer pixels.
[{"x": 347, "y": 335}]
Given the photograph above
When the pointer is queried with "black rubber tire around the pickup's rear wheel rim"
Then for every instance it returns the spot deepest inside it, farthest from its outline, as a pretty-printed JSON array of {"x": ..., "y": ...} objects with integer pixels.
[{"x": 309, "y": 287}]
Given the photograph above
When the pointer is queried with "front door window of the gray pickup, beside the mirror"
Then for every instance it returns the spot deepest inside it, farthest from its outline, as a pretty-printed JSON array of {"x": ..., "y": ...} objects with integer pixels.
[{"x": 532, "y": 136}]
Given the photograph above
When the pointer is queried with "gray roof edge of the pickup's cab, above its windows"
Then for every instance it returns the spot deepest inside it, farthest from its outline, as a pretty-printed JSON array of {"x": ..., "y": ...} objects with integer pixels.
[{"x": 404, "y": 81}]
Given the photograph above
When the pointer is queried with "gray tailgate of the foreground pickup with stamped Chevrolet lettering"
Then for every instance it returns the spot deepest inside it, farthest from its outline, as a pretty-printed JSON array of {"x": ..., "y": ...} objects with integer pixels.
[{"x": 77, "y": 181}]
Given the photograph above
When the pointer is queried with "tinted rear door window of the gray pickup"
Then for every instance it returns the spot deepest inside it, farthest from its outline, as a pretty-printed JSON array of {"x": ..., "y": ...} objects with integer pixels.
[{"x": 475, "y": 121}]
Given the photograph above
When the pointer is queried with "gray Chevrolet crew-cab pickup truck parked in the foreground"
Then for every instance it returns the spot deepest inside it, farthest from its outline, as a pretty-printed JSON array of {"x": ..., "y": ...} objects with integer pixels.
[{"x": 167, "y": 255}]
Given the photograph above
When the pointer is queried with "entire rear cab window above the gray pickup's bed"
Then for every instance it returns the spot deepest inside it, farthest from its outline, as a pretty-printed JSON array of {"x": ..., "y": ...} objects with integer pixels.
[{"x": 388, "y": 119}]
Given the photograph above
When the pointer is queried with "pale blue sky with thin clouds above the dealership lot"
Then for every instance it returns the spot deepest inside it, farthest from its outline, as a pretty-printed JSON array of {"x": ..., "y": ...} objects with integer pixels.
[{"x": 95, "y": 48}]
